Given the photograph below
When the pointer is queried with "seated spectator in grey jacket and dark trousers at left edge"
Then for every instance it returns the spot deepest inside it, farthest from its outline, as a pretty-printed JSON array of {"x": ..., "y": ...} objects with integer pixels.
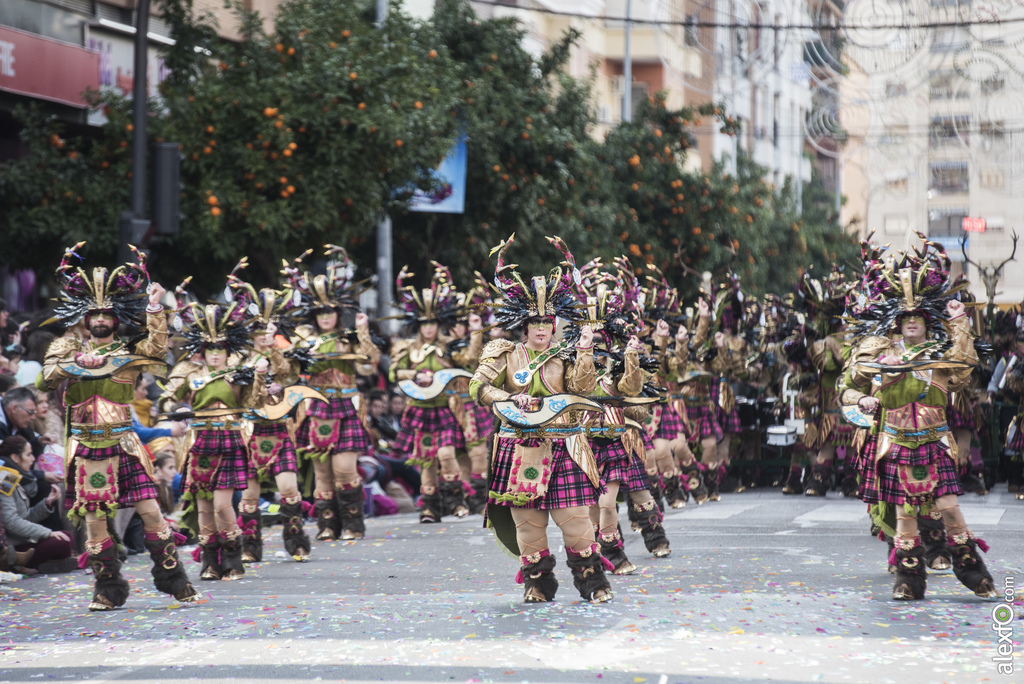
[{"x": 52, "y": 550}]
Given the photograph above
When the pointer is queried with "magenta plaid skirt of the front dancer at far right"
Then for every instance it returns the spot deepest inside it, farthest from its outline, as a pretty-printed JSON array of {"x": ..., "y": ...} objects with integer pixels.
[{"x": 886, "y": 479}]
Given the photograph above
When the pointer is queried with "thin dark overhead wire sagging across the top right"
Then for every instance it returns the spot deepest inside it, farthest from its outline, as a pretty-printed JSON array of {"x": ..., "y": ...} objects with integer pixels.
[{"x": 701, "y": 24}]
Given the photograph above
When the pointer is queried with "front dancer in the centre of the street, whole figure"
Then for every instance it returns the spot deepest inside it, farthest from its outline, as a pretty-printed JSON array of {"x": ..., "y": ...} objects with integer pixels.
[{"x": 551, "y": 472}]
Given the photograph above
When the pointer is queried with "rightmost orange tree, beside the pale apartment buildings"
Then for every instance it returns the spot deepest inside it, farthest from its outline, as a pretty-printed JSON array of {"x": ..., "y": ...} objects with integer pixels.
[{"x": 689, "y": 223}]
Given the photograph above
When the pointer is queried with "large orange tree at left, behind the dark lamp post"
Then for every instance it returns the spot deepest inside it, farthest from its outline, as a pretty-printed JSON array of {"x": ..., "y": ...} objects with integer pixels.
[{"x": 290, "y": 139}]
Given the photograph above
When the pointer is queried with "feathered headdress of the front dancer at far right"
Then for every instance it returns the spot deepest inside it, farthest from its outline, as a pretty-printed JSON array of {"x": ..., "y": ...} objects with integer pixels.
[{"x": 913, "y": 282}]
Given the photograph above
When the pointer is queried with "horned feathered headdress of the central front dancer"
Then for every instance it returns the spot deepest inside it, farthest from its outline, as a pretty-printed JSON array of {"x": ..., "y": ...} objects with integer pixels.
[{"x": 549, "y": 297}]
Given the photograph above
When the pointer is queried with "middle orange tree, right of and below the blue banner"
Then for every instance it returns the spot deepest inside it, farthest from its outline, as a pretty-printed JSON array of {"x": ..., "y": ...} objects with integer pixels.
[{"x": 528, "y": 130}]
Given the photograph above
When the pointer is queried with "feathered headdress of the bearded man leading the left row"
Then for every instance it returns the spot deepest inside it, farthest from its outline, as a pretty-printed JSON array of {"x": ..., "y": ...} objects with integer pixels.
[{"x": 123, "y": 291}]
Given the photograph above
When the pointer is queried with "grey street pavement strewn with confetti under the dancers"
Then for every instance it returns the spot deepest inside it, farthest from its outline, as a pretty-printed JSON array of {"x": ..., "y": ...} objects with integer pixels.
[{"x": 760, "y": 587}]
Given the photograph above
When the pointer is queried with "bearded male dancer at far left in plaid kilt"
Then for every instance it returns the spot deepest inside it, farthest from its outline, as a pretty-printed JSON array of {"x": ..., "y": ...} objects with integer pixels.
[{"x": 107, "y": 465}]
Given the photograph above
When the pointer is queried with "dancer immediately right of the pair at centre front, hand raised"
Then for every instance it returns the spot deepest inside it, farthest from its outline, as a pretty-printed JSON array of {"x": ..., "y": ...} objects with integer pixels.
[{"x": 677, "y": 468}]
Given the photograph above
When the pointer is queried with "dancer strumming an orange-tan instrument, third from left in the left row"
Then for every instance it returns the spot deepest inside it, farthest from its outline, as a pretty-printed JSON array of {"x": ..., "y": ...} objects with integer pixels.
[{"x": 272, "y": 450}]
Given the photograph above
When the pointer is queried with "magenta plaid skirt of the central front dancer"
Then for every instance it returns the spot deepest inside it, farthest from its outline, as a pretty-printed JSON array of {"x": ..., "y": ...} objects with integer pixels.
[{"x": 568, "y": 487}]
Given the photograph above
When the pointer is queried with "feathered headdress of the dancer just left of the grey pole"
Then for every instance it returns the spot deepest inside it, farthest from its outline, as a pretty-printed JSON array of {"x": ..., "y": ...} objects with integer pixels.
[{"x": 334, "y": 290}]
